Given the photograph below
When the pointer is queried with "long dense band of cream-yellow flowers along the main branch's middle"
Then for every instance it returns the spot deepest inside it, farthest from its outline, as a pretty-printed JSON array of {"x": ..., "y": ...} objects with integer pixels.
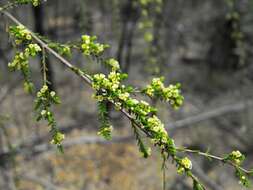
[{"x": 110, "y": 89}]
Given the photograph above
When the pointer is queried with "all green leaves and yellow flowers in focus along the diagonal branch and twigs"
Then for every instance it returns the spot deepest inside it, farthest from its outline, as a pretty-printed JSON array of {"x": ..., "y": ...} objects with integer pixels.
[{"x": 109, "y": 89}]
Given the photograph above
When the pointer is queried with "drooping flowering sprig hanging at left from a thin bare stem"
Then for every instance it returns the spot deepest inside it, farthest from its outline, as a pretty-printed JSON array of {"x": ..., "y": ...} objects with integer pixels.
[{"x": 45, "y": 98}]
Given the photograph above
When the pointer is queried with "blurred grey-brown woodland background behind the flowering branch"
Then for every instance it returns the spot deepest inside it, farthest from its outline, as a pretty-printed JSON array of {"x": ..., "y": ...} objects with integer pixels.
[{"x": 205, "y": 45}]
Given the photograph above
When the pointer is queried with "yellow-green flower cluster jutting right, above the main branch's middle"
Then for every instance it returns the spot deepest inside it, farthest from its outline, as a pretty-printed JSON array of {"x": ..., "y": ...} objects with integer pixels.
[{"x": 170, "y": 94}]
